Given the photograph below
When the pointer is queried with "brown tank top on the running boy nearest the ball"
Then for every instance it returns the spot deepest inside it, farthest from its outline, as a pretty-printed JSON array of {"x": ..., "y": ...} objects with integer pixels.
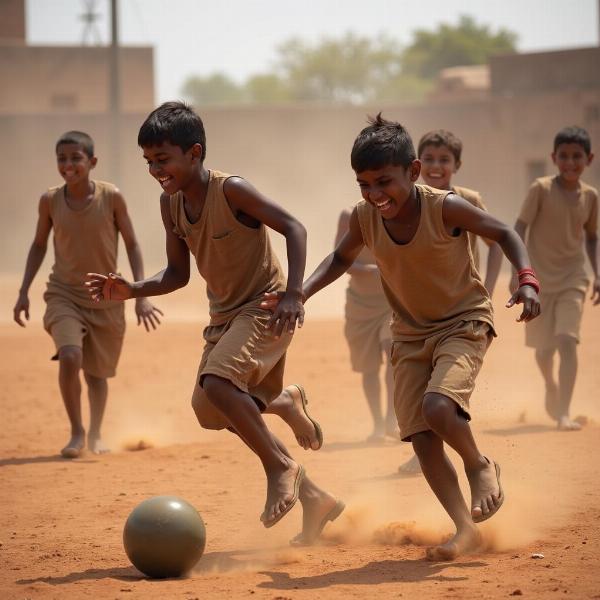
[{"x": 236, "y": 261}]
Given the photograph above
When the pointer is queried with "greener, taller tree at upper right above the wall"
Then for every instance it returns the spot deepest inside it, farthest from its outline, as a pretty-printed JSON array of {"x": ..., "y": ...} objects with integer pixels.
[{"x": 450, "y": 46}]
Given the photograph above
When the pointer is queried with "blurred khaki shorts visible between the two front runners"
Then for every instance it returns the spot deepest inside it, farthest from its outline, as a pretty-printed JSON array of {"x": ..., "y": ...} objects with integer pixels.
[{"x": 367, "y": 331}]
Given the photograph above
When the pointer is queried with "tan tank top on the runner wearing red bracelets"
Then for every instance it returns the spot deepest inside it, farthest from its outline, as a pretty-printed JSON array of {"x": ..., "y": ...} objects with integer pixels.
[{"x": 431, "y": 282}]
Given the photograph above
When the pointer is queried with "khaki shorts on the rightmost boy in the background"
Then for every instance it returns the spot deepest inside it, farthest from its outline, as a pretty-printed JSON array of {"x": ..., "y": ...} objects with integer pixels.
[{"x": 561, "y": 315}]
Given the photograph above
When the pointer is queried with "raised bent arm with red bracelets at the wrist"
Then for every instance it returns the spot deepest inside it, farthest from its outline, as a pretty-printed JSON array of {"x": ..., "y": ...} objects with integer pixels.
[{"x": 460, "y": 214}]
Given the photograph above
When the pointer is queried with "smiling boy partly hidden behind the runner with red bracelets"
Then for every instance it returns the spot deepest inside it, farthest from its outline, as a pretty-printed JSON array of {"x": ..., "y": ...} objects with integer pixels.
[{"x": 440, "y": 154}]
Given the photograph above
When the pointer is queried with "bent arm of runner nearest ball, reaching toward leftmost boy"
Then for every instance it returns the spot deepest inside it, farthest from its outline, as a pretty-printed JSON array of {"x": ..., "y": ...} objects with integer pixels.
[{"x": 176, "y": 275}]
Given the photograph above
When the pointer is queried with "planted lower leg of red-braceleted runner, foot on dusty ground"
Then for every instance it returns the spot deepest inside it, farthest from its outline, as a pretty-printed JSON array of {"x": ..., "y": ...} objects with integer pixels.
[{"x": 442, "y": 479}]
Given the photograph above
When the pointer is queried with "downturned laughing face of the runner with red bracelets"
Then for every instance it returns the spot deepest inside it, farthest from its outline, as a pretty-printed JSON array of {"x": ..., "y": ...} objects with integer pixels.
[{"x": 388, "y": 188}]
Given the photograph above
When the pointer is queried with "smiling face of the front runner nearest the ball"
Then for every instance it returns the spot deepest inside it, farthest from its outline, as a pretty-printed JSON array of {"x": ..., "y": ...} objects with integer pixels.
[{"x": 171, "y": 166}]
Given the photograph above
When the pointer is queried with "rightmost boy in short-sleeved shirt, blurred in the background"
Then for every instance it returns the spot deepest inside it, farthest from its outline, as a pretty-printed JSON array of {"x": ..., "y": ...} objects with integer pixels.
[{"x": 557, "y": 214}]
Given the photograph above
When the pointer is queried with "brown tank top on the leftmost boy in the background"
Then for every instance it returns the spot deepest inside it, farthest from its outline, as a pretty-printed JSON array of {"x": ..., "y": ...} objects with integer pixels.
[{"x": 85, "y": 241}]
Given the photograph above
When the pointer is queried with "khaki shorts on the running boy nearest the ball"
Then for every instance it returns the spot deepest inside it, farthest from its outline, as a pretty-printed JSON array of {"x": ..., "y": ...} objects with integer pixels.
[{"x": 245, "y": 353}]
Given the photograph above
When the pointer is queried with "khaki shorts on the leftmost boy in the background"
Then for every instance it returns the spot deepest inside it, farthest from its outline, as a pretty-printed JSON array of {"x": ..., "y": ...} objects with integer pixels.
[{"x": 98, "y": 332}]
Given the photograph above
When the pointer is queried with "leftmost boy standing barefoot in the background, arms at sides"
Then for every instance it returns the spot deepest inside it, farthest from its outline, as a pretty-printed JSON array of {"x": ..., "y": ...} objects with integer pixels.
[{"x": 86, "y": 216}]
